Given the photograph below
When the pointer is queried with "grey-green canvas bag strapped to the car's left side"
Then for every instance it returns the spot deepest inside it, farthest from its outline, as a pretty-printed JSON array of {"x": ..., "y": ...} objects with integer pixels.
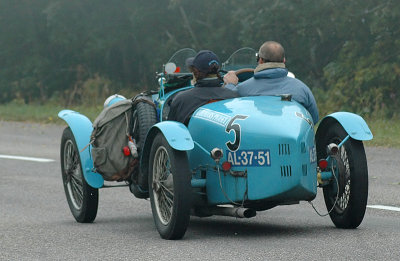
[{"x": 109, "y": 137}]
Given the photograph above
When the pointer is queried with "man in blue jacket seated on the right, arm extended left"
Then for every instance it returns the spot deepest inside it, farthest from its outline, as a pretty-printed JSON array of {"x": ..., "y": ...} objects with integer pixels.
[{"x": 270, "y": 78}]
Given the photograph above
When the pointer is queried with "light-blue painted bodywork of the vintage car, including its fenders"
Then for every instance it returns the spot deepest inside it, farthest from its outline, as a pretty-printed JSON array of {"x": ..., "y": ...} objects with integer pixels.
[{"x": 268, "y": 142}]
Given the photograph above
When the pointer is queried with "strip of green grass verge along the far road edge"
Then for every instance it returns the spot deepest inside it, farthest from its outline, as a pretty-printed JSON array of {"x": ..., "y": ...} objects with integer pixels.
[{"x": 386, "y": 132}]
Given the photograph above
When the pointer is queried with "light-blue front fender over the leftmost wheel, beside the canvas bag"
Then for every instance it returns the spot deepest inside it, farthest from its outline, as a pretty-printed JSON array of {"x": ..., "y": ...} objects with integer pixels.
[{"x": 82, "y": 128}]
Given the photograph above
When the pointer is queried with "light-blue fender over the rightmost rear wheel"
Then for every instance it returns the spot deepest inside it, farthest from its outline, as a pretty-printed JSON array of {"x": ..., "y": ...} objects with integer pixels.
[{"x": 352, "y": 123}]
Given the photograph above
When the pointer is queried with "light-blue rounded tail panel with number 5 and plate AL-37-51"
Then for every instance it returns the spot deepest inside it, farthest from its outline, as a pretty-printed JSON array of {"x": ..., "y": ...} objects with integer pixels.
[{"x": 268, "y": 141}]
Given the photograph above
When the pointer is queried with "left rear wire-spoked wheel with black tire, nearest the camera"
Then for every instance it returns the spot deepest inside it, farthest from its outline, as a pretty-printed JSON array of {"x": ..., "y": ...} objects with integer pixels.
[{"x": 170, "y": 189}]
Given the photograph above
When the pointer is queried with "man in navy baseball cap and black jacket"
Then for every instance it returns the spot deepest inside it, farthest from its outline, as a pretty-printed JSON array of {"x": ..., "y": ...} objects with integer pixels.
[{"x": 204, "y": 66}]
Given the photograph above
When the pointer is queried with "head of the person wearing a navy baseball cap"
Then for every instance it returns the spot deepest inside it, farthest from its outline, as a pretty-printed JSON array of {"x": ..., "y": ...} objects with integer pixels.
[{"x": 205, "y": 63}]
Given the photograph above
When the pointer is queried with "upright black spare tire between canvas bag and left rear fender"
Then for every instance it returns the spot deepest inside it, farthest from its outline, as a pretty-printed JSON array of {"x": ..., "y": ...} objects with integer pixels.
[{"x": 144, "y": 117}]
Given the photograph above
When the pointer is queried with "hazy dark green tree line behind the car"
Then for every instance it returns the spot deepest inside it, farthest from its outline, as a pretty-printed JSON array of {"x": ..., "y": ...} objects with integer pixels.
[{"x": 80, "y": 51}]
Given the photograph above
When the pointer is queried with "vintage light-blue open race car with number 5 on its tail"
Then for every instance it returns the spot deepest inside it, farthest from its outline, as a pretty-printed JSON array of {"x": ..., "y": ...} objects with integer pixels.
[{"x": 235, "y": 157}]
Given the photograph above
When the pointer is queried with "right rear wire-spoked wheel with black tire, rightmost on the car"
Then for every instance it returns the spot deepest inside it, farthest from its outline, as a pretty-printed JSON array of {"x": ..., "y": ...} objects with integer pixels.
[{"x": 352, "y": 176}]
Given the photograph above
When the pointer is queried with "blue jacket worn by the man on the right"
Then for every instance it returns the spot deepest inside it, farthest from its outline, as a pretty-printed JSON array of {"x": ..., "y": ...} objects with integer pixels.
[{"x": 275, "y": 81}]
